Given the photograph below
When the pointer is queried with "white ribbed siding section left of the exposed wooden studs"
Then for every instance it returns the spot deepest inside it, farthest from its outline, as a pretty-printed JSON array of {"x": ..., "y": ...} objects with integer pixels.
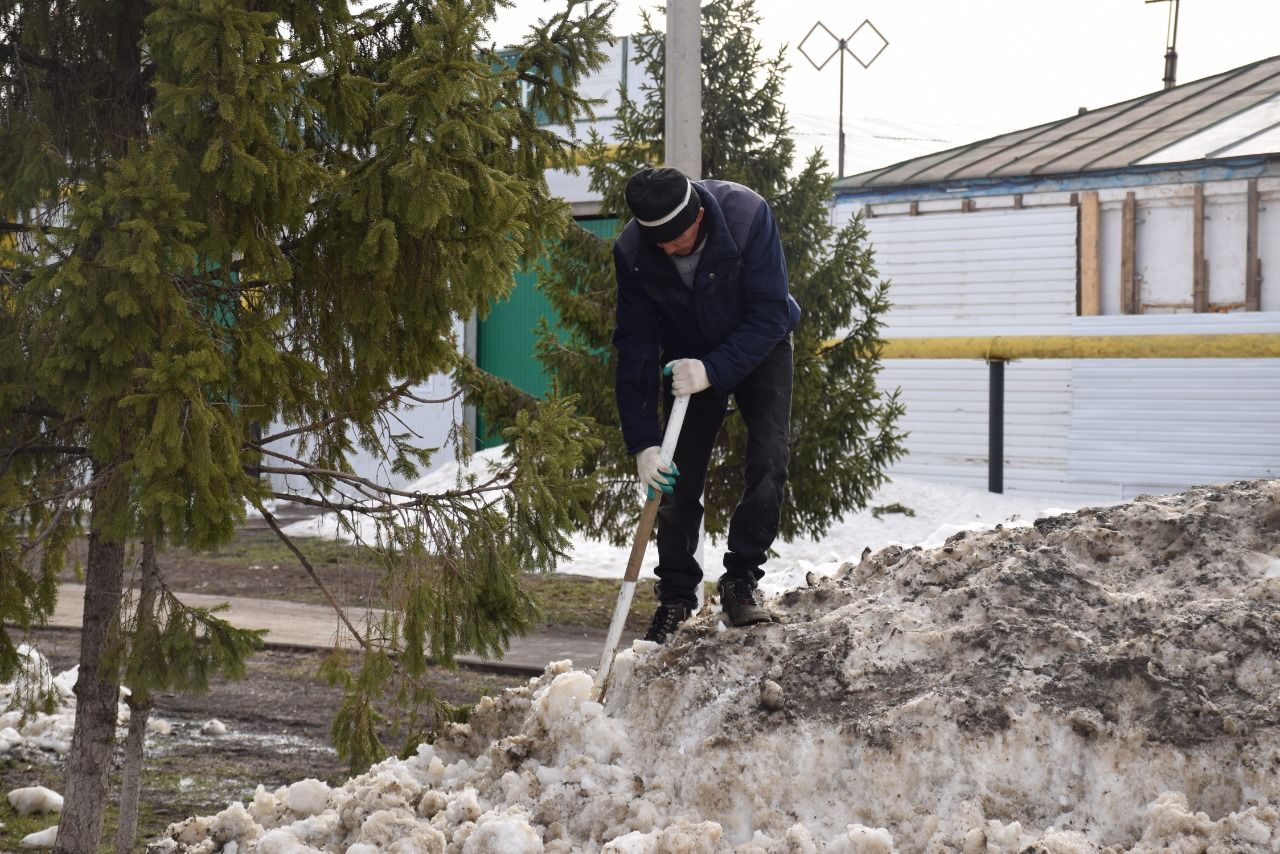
[{"x": 981, "y": 273}]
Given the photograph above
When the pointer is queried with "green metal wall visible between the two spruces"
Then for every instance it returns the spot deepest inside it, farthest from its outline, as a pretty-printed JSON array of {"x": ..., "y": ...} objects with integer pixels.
[{"x": 506, "y": 339}]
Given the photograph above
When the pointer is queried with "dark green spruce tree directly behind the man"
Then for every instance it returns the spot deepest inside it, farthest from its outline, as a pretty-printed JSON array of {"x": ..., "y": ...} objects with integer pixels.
[{"x": 843, "y": 430}]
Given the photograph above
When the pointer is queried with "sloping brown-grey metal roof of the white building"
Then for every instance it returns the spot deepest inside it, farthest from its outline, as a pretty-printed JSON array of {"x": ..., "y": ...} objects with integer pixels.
[{"x": 1231, "y": 115}]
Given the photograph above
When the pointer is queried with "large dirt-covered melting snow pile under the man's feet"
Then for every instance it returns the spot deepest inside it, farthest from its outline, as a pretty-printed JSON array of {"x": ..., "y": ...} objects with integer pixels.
[{"x": 1099, "y": 681}]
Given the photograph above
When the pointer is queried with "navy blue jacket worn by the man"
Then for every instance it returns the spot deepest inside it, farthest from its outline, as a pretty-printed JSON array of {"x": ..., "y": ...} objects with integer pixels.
[{"x": 738, "y": 310}]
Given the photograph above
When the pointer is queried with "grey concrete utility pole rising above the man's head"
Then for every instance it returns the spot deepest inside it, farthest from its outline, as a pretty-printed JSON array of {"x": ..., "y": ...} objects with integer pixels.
[{"x": 683, "y": 122}]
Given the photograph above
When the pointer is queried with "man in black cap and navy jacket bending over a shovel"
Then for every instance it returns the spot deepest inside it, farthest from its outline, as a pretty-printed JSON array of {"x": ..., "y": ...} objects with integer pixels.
[{"x": 703, "y": 290}]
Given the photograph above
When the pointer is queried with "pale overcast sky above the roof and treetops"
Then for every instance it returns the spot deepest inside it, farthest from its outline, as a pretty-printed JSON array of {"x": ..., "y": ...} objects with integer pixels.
[{"x": 958, "y": 72}]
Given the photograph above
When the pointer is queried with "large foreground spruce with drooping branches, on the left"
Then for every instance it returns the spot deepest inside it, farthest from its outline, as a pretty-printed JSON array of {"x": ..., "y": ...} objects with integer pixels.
[{"x": 220, "y": 216}]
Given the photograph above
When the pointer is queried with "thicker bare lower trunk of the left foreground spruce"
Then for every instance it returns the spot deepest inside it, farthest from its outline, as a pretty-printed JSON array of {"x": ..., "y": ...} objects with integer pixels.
[{"x": 98, "y": 686}]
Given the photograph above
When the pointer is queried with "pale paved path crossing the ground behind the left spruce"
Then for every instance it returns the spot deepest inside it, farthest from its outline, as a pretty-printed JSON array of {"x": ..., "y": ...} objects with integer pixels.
[{"x": 310, "y": 627}]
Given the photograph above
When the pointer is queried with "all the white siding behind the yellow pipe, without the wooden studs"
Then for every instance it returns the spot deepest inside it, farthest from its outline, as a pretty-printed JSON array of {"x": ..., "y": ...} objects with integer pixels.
[{"x": 1103, "y": 431}]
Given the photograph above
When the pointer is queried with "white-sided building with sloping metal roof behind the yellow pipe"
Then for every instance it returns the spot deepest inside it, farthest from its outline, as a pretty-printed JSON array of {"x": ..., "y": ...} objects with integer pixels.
[{"x": 1159, "y": 216}]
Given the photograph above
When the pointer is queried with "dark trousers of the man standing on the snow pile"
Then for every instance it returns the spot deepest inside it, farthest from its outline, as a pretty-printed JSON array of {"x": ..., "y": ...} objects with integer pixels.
[{"x": 765, "y": 403}]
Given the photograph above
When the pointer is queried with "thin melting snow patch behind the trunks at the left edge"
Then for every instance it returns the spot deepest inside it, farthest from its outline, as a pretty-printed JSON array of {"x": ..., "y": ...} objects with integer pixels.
[{"x": 35, "y": 687}]
